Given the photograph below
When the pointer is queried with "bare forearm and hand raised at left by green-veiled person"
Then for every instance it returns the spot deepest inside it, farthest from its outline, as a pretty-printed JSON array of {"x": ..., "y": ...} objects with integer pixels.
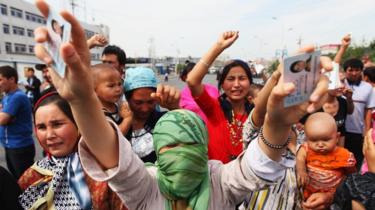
[{"x": 77, "y": 88}]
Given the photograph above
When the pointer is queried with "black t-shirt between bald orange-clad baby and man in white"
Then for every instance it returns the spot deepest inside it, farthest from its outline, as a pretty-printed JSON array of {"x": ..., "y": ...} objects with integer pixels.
[{"x": 340, "y": 117}]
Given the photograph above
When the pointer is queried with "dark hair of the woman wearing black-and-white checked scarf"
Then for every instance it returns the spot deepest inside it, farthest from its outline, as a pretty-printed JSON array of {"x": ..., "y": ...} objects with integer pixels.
[{"x": 55, "y": 98}]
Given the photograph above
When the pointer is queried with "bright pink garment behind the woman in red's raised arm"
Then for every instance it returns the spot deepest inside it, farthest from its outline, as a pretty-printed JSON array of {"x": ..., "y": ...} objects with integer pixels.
[{"x": 187, "y": 101}]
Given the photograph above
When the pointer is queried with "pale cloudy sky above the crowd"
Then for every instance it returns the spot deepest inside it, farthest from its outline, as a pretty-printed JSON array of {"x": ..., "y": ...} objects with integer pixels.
[{"x": 190, "y": 28}]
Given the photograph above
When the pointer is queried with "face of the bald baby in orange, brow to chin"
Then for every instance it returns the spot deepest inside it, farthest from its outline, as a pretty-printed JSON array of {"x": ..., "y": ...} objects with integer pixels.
[{"x": 322, "y": 144}]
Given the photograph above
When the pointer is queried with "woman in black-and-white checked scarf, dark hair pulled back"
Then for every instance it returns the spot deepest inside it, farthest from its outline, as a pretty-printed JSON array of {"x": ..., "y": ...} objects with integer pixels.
[{"x": 58, "y": 180}]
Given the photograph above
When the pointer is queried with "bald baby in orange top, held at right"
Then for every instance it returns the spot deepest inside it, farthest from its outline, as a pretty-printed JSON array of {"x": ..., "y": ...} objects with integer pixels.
[{"x": 321, "y": 164}]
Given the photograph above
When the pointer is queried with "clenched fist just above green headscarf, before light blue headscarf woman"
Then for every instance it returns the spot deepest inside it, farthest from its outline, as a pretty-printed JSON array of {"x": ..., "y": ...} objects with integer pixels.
[{"x": 167, "y": 96}]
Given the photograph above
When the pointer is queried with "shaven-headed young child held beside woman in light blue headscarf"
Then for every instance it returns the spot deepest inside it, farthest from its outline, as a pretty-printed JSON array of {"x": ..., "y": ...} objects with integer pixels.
[{"x": 108, "y": 88}]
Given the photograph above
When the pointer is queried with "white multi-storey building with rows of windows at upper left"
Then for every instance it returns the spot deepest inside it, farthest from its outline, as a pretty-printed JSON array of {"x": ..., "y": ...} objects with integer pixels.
[{"x": 18, "y": 19}]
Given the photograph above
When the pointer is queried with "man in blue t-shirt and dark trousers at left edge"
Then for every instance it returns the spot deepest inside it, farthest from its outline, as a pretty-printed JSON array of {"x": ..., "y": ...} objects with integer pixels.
[{"x": 15, "y": 124}]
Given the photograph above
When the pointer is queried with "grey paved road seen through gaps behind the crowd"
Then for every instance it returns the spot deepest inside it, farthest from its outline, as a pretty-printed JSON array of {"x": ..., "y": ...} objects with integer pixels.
[{"x": 173, "y": 80}]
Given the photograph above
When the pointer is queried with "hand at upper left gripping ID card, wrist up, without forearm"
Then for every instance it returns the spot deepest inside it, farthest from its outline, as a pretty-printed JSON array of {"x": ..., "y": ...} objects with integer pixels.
[{"x": 73, "y": 86}]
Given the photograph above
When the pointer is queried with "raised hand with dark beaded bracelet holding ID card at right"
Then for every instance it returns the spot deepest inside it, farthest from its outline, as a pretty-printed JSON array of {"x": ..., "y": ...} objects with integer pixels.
[{"x": 278, "y": 120}]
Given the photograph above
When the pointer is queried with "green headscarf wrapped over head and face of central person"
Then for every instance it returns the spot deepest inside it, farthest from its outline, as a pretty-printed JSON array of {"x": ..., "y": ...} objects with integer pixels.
[{"x": 183, "y": 170}]
